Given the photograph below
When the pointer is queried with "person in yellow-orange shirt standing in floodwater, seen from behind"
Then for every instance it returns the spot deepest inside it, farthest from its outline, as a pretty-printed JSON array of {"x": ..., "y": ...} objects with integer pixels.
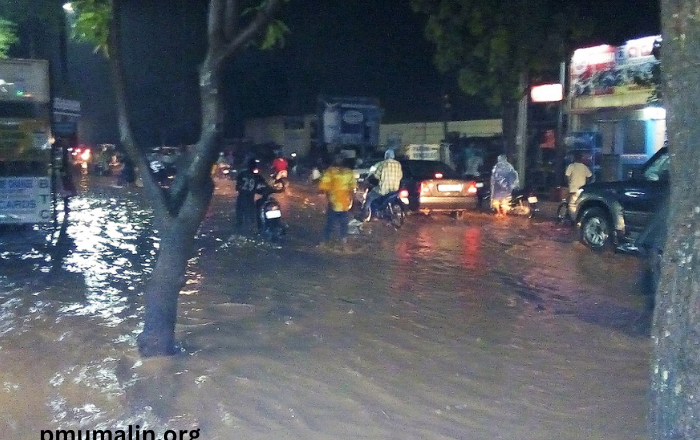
[{"x": 339, "y": 185}]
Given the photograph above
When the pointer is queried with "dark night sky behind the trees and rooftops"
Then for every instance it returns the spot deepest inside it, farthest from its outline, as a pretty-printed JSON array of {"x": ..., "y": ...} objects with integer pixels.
[{"x": 336, "y": 47}]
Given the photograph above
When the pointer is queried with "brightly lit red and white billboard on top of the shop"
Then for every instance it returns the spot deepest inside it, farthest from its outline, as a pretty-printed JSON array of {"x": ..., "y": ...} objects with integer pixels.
[{"x": 609, "y": 70}]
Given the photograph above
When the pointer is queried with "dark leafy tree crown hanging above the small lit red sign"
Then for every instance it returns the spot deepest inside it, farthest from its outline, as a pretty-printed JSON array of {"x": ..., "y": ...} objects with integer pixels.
[{"x": 493, "y": 44}]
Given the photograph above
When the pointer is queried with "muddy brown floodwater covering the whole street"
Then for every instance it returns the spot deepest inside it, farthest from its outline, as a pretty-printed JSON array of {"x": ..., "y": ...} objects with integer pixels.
[{"x": 474, "y": 329}]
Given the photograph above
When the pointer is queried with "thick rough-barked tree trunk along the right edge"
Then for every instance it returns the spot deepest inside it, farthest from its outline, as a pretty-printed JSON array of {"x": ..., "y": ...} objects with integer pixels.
[{"x": 675, "y": 372}]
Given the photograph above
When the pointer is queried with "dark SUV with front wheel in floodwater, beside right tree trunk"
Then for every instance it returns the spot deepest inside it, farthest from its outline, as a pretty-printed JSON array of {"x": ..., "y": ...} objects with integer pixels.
[{"x": 615, "y": 213}]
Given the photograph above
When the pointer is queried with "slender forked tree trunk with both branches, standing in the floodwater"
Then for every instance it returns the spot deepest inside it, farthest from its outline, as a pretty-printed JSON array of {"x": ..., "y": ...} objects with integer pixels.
[{"x": 179, "y": 211}]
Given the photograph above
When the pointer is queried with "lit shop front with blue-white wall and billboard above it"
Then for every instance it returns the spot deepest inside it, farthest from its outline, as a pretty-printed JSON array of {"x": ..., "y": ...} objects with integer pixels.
[{"x": 612, "y": 102}]
